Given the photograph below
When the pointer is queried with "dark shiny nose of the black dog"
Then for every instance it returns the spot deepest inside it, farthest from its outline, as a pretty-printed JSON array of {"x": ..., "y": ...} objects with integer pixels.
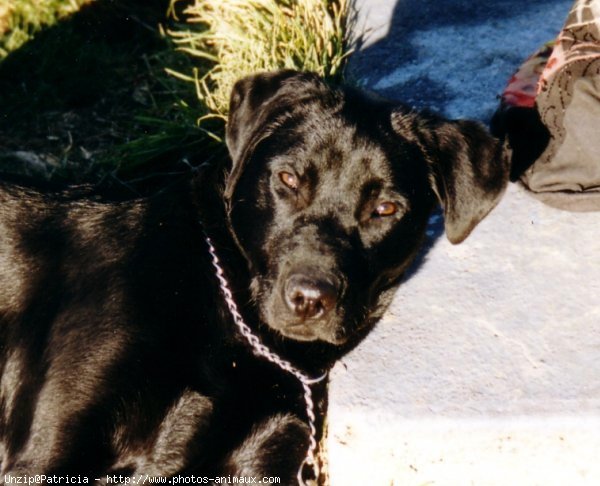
[{"x": 310, "y": 297}]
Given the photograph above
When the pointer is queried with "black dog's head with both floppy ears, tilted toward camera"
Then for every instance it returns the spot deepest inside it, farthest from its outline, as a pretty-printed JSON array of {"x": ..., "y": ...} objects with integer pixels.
[{"x": 330, "y": 192}]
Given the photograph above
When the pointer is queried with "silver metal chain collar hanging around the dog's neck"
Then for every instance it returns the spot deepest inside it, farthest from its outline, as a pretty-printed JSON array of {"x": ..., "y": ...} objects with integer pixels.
[{"x": 263, "y": 351}]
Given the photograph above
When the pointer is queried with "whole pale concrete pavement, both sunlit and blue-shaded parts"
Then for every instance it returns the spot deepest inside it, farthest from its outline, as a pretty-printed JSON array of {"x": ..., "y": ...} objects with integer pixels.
[{"x": 486, "y": 370}]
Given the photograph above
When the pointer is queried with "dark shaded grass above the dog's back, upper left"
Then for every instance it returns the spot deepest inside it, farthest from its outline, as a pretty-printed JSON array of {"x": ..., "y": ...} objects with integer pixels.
[{"x": 91, "y": 85}]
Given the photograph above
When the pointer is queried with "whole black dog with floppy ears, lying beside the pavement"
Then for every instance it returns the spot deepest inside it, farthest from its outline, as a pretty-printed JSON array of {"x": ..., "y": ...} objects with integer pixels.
[{"x": 119, "y": 355}]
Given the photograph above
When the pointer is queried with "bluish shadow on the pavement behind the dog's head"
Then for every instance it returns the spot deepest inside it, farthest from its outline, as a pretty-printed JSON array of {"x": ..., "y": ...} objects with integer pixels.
[{"x": 454, "y": 56}]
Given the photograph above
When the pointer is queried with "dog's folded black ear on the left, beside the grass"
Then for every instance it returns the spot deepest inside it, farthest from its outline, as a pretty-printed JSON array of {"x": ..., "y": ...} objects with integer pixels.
[{"x": 259, "y": 103}]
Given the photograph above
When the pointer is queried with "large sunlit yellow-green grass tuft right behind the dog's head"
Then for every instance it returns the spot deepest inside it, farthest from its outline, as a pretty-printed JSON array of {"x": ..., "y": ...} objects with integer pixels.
[{"x": 240, "y": 37}]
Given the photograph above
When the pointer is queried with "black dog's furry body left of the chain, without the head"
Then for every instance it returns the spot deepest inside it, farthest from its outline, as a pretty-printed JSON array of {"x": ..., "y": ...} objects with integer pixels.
[{"x": 118, "y": 355}]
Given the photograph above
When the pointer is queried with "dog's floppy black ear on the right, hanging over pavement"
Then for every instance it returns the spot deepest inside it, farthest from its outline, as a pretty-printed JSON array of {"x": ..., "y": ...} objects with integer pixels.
[{"x": 469, "y": 169}]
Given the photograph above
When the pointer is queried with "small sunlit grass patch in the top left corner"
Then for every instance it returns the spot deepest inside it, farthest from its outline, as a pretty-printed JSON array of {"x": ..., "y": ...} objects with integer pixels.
[{"x": 20, "y": 20}]
